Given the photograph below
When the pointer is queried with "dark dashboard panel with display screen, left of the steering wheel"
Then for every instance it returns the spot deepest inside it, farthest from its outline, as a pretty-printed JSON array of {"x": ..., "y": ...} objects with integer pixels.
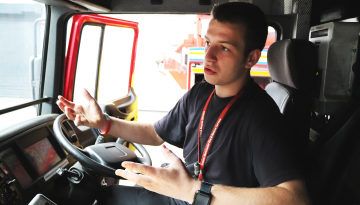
[{"x": 31, "y": 157}]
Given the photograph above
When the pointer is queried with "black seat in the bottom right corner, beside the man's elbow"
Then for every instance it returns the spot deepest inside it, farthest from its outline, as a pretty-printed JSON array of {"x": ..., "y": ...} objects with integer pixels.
[{"x": 334, "y": 175}]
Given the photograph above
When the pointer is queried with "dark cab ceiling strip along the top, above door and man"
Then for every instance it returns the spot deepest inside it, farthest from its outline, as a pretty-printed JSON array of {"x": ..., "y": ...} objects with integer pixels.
[{"x": 160, "y": 6}]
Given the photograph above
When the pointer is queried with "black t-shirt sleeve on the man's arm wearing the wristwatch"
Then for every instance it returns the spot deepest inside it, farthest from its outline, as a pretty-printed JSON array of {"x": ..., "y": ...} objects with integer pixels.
[{"x": 275, "y": 156}]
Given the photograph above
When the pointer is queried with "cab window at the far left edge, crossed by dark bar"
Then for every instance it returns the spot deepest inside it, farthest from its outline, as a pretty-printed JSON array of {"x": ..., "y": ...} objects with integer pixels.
[{"x": 22, "y": 26}]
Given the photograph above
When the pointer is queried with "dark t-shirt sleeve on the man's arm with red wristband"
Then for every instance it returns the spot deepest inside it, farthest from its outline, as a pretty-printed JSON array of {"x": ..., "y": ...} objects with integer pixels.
[{"x": 171, "y": 128}]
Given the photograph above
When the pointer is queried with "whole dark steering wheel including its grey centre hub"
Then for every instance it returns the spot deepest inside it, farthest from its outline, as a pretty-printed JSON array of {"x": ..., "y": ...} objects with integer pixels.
[{"x": 103, "y": 158}]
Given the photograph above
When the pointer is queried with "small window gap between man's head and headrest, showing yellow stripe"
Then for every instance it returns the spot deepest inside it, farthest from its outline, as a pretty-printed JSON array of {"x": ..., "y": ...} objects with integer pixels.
[{"x": 260, "y": 72}]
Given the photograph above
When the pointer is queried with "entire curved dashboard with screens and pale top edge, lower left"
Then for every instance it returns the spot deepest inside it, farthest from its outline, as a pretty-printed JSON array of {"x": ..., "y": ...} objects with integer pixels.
[{"x": 29, "y": 158}]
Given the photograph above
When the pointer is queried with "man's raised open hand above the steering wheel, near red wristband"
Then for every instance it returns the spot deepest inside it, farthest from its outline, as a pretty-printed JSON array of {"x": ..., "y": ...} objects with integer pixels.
[{"x": 87, "y": 113}]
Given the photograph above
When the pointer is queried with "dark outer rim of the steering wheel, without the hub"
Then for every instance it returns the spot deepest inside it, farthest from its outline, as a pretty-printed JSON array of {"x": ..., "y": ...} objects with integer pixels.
[{"x": 79, "y": 154}]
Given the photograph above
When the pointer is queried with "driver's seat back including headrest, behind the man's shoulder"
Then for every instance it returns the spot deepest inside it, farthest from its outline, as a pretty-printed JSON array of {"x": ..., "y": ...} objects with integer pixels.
[{"x": 292, "y": 64}]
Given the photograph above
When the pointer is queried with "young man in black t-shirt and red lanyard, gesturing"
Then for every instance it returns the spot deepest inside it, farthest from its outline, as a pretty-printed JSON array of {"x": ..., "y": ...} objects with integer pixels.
[{"x": 235, "y": 147}]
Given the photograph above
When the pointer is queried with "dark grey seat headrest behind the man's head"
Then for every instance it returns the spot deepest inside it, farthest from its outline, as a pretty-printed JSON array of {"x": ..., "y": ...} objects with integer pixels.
[{"x": 293, "y": 62}]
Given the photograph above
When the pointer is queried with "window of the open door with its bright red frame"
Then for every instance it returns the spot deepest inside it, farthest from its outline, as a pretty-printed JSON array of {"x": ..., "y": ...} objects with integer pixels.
[{"x": 105, "y": 59}]
